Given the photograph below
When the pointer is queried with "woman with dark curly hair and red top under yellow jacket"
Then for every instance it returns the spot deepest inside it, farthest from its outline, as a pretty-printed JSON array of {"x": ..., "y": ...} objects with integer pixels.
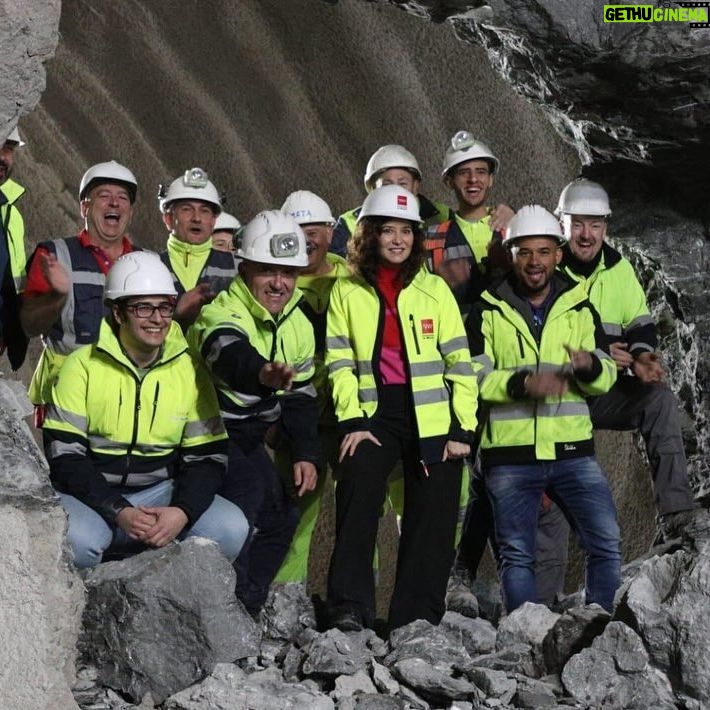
[{"x": 404, "y": 389}]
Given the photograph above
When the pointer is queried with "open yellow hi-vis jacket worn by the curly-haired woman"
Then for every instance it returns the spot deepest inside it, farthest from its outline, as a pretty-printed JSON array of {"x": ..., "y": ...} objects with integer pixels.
[{"x": 441, "y": 378}]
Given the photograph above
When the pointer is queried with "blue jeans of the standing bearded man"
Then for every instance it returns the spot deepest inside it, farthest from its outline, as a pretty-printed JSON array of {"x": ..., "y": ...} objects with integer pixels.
[{"x": 581, "y": 490}]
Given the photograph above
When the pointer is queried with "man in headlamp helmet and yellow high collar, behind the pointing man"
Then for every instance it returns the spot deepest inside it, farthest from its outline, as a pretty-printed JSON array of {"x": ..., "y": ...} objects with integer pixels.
[{"x": 190, "y": 207}]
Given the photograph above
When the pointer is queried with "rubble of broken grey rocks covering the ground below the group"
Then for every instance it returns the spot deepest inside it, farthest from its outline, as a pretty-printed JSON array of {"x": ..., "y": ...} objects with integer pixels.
[{"x": 163, "y": 630}]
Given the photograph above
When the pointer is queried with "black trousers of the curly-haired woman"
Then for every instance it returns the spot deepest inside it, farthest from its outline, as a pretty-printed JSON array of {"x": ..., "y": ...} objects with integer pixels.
[{"x": 426, "y": 546}]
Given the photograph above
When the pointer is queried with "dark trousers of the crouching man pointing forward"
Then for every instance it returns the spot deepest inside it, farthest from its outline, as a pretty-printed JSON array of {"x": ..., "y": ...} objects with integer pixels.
[{"x": 253, "y": 483}]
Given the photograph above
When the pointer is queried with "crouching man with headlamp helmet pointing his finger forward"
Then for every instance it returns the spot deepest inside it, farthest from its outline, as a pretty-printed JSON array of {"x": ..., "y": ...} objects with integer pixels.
[{"x": 259, "y": 347}]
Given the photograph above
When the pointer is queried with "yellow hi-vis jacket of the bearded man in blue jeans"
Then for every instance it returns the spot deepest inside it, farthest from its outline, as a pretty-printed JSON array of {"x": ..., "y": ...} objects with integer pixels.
[{"x": 503, "y": 343}]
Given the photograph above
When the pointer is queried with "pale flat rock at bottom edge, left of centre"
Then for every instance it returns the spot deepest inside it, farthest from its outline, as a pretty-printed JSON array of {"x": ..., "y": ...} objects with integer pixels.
[{"x": 230, "y": 687}]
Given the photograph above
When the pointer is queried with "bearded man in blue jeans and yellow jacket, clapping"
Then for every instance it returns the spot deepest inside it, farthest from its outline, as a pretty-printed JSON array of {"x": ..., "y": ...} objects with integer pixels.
[{"x": 539, "y": 350}]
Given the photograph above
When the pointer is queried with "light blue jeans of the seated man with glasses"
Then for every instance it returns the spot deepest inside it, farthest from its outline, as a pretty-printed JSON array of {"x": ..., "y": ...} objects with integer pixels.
[{"x": 90, "y": 535}]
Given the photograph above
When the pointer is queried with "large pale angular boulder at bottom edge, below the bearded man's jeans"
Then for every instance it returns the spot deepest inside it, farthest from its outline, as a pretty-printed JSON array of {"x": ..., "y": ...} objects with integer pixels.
[{"x": 615, "y": 673}]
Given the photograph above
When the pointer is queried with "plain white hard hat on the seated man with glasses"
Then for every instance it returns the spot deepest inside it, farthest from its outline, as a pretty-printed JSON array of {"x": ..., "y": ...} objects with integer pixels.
[{"x": 138, "y": 273}]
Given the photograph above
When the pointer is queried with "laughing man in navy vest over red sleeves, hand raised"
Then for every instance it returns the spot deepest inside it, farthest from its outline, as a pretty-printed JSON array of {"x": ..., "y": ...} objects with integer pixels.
[{"x": 63, "y": 298}]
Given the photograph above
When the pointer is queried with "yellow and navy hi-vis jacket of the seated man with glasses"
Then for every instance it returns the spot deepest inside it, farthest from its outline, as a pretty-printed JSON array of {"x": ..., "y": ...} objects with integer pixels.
[{"x": 106, "y": 420}]
